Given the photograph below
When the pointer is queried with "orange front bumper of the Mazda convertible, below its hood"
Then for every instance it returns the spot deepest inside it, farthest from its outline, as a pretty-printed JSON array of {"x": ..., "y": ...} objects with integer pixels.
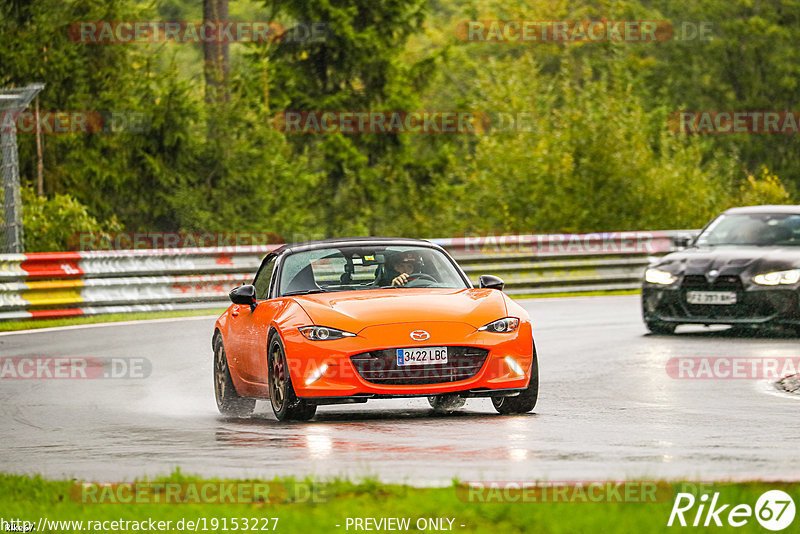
[{"x": 344, "y": 378}]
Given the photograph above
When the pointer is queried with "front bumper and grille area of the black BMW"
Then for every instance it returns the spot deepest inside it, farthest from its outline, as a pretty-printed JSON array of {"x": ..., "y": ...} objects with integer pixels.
[{"x": 755, "y": 305}]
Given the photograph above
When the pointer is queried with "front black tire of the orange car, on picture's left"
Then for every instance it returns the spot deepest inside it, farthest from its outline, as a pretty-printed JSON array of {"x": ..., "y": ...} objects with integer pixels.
[{"x": 285, "y": 404}]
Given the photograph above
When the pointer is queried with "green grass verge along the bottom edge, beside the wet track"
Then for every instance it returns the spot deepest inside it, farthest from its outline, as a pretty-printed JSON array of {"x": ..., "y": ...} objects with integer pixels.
[{"x": 306, "y": 506}]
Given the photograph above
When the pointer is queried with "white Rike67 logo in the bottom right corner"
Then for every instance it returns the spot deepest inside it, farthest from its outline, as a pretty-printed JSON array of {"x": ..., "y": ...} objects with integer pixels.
[{"x": 774, "y": 510}]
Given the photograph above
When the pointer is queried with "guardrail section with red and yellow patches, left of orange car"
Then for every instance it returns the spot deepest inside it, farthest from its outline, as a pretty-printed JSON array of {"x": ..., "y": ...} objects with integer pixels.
[{"x": 86, "y": 283}]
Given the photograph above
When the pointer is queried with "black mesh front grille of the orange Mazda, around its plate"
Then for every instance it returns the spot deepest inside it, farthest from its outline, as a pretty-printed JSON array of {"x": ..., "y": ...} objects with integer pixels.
[{"x": 380, "y": 367}]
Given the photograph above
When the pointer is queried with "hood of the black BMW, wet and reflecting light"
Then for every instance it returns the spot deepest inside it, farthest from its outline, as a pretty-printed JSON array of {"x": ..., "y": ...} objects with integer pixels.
[{"x": 730, "y": 260}]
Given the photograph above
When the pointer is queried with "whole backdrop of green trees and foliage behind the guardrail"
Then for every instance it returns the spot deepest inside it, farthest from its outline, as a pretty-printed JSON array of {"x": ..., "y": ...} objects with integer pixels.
[{"x": 597, "y": 153}]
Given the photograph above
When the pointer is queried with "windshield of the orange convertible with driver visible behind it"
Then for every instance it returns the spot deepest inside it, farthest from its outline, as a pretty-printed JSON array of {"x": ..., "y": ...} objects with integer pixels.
[{"x": 366, "y": 267}]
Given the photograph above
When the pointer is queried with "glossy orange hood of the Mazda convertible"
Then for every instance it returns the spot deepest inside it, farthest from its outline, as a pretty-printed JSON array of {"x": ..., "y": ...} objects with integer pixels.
[{"x": 354, "y": 310}]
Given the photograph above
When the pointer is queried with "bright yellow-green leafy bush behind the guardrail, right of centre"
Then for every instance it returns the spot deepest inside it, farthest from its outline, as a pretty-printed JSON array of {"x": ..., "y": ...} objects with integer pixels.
[{"x": 586, "y": 155}]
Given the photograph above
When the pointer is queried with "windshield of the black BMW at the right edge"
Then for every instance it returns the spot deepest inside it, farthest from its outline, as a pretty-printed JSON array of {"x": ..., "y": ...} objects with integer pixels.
[{"x": 757, "y": 229}]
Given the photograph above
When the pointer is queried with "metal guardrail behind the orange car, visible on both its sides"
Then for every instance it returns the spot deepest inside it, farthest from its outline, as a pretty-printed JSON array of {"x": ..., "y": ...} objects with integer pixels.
[{"x": 42, "y": 285}]
